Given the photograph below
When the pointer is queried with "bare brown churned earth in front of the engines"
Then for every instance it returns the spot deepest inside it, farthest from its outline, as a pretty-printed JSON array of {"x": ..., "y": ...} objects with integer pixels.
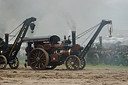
[{"x": 61, "y": 76}]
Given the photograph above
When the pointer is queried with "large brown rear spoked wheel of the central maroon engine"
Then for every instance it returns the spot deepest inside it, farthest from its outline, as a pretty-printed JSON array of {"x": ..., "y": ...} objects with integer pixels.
[{"x": 38, "y": 59}]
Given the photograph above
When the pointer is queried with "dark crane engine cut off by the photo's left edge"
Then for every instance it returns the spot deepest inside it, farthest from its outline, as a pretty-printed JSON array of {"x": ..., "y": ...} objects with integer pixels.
[{"x": 8, "y": 52}]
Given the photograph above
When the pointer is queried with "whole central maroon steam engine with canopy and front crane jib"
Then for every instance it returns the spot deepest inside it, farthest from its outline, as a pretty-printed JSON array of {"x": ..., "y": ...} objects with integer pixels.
[{"x": 47, "y": 52}]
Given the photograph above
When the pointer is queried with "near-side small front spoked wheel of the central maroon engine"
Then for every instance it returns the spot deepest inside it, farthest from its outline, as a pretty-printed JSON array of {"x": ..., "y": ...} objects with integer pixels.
[{"x": 72, "y": 62}]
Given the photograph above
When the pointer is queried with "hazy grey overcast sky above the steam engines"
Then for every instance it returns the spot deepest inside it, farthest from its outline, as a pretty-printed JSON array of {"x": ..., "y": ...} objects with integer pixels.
[{"x": 60, "y": 16}]
